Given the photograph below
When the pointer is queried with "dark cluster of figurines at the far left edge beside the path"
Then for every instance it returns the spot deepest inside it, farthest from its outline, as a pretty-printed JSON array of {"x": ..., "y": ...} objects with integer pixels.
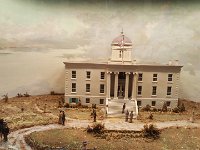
[{"x": 4, "y": 130}]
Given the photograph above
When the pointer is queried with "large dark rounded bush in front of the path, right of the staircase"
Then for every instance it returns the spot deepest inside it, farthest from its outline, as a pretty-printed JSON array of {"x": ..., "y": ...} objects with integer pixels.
[{"x": 150, "y": 131}]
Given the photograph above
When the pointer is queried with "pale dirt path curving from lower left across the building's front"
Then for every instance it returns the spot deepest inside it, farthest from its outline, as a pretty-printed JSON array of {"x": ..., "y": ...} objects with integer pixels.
[{"x": 17, "y": 142}]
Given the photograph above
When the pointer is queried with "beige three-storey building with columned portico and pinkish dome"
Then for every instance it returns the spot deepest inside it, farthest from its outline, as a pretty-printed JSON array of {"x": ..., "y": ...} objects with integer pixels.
[{"x": 122, "y": 80}]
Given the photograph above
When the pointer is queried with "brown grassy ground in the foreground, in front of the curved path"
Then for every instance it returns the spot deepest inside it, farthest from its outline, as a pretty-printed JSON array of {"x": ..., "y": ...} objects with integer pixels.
[{"x": 172, "y": 138}]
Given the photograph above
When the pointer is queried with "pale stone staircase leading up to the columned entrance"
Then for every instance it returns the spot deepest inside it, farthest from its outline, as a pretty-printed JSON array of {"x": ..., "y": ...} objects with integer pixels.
[{"x": 114, "y": 108}]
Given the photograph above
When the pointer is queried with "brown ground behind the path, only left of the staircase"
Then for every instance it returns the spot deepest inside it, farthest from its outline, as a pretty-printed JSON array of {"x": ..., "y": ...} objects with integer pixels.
[{"x": 39, "y": 110}]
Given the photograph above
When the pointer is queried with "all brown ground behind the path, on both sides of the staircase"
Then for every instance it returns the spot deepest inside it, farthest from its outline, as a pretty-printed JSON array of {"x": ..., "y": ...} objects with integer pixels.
[{"x": 34, "y": 107}]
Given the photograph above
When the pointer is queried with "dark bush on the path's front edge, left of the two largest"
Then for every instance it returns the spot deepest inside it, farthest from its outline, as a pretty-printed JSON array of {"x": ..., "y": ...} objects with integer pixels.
[{"x": 97, "y": 128}]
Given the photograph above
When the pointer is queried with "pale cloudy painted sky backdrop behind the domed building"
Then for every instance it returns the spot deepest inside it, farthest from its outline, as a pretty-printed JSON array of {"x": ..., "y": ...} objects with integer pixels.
[{"x": 36, "y": 36}]
